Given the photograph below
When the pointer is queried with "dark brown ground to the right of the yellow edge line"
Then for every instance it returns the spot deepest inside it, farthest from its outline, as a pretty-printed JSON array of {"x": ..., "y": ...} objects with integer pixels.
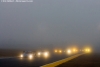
[{"x": 86, "y": 60}]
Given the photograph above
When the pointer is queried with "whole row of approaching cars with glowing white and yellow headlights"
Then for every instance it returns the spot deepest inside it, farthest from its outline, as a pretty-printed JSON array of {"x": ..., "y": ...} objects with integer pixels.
[{"x": 30, "y": 54}]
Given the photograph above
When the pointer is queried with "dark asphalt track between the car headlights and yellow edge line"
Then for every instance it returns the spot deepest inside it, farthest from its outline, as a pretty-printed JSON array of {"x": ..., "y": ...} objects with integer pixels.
[{"x": 35, "y": 62}]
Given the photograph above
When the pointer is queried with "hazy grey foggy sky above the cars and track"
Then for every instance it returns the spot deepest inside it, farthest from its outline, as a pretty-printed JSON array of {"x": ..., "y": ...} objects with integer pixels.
[{"x": 49, "y": 23}]
